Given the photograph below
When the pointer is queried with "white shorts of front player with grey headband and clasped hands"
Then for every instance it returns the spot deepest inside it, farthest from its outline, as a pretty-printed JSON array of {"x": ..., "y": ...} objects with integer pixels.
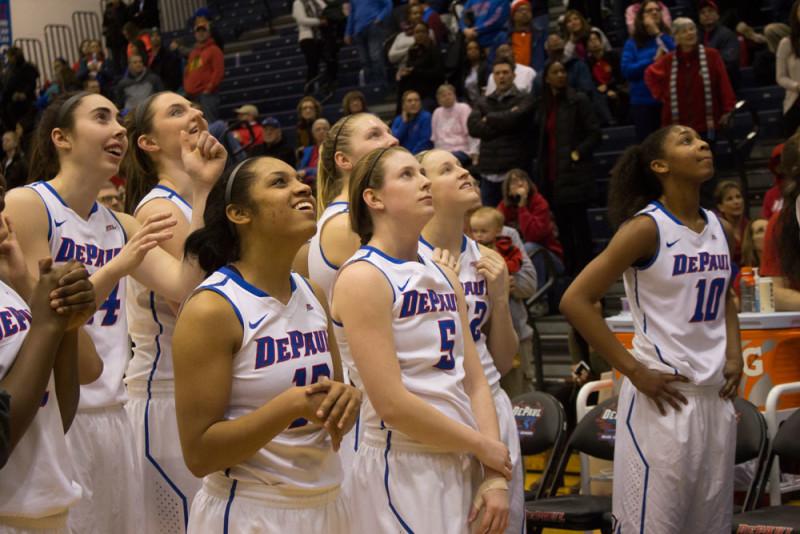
[{"x": 228, "y": 505}]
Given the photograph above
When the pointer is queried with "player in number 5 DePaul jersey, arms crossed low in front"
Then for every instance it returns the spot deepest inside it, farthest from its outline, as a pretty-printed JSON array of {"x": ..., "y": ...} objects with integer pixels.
[{"x": 429, "y": 409}]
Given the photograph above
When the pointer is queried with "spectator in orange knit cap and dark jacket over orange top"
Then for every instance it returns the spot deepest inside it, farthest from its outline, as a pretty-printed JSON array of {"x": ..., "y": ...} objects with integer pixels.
[{"x": 529, "y": 32}]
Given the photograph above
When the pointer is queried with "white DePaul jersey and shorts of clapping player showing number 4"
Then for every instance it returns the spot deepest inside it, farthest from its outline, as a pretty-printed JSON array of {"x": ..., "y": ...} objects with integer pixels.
[{"x": 100, "y": 439}]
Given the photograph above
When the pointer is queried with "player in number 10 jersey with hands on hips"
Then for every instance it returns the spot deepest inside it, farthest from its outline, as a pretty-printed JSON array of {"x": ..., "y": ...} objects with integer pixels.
[{"x": 674, "y": 454}]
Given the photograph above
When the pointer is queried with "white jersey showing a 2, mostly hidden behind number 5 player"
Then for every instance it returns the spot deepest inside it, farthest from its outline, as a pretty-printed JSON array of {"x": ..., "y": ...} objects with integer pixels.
[{"x": 477, "y": 297}]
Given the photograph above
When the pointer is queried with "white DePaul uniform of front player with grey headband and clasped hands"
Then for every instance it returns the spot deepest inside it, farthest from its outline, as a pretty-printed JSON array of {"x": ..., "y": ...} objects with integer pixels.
[{"x": 292, "y": 483}]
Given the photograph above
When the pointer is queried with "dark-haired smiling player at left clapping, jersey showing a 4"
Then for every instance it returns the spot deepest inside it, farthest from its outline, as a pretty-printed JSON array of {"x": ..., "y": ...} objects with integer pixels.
[{"x": 78, "y": 145}]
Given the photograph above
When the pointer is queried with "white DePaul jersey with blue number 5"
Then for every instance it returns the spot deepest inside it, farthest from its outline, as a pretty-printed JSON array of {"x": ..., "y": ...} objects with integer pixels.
[{"x": 427, "y": 337}]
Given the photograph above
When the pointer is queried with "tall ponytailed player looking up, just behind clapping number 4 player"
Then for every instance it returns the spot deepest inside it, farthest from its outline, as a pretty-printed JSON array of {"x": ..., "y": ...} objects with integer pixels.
[{"x": 158, "y": 182}]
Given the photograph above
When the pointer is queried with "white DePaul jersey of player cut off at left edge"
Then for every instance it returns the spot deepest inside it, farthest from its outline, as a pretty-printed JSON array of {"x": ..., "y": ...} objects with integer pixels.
[{"x": 37, "y": 480}]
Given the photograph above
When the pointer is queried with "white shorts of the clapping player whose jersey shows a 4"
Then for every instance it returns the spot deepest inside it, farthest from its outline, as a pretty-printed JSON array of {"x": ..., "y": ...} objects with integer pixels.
[{"x": 101, "y": 444}]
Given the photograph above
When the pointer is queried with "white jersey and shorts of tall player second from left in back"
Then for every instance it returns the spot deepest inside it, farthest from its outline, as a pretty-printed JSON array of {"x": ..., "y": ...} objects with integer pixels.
[{"x": 167, "y": 483}]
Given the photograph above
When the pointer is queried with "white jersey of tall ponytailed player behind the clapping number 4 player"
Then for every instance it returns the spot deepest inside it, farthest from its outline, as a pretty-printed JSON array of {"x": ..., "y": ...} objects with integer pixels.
[{"x": 151, "y": 320}]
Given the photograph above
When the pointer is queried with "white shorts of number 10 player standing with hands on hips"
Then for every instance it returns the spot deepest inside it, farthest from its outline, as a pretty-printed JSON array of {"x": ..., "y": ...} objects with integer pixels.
[{"x": 674, "y": 472}]
